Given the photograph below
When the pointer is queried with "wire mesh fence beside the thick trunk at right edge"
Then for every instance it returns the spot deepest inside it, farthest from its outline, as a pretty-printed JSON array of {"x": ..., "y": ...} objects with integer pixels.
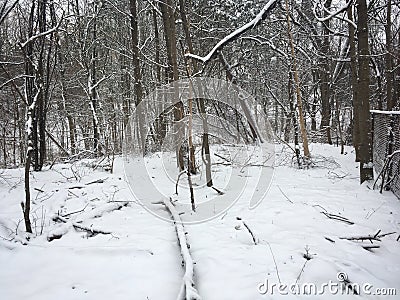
[{"x": 386, "y": 148}]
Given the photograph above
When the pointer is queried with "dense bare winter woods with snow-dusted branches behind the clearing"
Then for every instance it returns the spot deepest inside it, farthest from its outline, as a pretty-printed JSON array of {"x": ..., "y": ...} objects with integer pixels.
[{"x": 72, "y": 72}]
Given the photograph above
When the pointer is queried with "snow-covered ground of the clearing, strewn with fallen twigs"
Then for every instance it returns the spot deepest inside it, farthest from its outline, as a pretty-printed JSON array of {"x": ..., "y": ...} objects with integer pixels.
[{"x": 296, "y": 242}]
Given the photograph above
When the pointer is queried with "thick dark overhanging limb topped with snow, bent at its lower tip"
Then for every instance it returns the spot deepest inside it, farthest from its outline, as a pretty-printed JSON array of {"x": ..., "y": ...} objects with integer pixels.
[{"x": 235, "y": 34}]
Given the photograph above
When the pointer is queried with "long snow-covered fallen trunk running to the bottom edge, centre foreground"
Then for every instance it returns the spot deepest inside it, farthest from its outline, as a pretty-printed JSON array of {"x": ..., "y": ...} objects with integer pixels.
[{"x": 188, "y": 290}]
